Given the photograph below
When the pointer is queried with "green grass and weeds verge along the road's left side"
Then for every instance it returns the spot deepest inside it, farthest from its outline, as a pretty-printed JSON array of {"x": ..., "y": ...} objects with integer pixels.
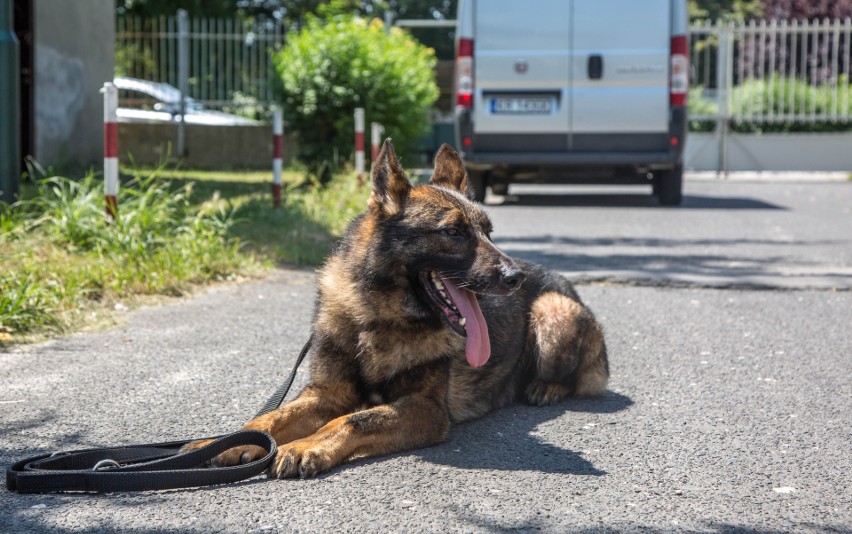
[{"x": 62, "y": 262}]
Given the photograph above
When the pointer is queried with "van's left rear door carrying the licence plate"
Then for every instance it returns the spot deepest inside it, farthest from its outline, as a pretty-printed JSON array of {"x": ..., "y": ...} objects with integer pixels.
[{"x": 522, "y": 73}]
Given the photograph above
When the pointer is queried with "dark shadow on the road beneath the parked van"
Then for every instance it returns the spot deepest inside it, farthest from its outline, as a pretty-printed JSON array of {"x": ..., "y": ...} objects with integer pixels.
[{"x": 633, "y": 200}]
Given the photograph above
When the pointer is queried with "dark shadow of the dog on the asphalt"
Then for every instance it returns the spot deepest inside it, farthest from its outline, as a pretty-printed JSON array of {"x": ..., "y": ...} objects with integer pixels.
[{"x": 510, "y": 439}]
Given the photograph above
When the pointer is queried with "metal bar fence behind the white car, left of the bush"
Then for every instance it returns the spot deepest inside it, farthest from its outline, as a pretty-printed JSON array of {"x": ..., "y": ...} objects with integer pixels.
[{"x": 229, "y": 61}]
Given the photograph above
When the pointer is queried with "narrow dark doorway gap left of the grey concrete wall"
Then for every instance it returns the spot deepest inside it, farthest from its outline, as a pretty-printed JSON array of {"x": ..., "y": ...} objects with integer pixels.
[{"x": 23, "y": 17}]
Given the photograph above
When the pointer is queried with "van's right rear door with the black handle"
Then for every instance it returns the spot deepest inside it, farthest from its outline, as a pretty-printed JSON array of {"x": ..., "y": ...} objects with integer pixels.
[{"x": 620, "y": 77}]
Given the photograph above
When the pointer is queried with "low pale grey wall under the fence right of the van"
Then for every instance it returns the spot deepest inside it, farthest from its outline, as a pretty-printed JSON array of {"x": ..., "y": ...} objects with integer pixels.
[{"x": 771, "y": 152}]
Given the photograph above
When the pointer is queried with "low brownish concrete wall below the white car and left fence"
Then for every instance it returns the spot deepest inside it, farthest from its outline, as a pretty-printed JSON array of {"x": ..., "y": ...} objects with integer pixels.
[{"x": 208, "y": 147}]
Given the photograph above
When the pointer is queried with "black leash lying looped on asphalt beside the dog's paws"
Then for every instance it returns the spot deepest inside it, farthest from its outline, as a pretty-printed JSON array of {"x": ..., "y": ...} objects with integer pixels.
[{"x": 154, "y": 466}]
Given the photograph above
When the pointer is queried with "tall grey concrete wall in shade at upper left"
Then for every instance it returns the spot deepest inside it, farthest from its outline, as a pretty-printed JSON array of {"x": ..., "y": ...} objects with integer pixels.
[{"x": 74, "y": 56}]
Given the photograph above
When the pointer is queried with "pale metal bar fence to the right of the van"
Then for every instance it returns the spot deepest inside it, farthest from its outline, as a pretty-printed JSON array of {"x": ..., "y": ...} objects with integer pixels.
[{"x": 771, "y": 72}]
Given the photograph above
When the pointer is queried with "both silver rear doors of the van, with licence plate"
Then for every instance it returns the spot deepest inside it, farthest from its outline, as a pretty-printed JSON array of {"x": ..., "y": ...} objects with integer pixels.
[{"x": 571, "y": 75}]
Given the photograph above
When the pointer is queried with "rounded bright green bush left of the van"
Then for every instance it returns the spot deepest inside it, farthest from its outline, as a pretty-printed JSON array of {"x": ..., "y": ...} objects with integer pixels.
[{"x": 337, "y": 64}]
